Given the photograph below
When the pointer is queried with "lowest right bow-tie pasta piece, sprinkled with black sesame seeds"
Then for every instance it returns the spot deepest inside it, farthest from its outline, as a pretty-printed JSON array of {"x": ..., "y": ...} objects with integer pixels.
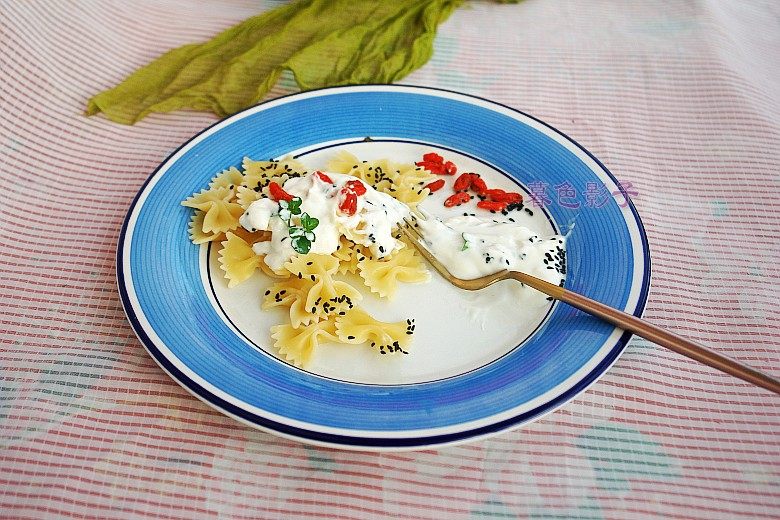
[{"x": 357, "y": 326}]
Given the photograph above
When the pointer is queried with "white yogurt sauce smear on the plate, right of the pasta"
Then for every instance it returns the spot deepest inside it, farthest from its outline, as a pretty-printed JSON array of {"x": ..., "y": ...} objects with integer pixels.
[{"x": 470, "y": 247}]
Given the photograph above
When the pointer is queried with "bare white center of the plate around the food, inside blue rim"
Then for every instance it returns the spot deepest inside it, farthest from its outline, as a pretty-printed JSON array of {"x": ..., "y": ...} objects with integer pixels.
[{"x": 456, "y": 331}]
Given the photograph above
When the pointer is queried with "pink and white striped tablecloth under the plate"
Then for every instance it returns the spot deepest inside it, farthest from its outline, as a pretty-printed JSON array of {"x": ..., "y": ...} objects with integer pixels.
[{"x": 680, "y": 98}]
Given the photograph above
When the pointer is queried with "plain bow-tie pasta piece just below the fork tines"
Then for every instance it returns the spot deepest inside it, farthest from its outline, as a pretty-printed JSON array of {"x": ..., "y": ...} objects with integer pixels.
[{"x": 383, "y": 276}]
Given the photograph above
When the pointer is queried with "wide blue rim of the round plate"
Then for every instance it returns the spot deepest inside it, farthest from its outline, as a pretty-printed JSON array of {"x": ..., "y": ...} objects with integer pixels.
[{"x": 161, "y": 292}]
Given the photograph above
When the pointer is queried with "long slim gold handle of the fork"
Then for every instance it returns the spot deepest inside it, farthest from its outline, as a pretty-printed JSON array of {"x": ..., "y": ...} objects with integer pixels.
[{"x": 652, "y": 333}]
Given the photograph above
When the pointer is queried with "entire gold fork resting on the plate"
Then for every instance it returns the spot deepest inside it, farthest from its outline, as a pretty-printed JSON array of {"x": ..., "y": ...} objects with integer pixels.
[{"x": 609, "y": 314}]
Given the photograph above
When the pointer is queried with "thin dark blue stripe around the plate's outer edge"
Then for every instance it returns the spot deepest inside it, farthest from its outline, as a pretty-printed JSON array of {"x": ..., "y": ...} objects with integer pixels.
[{"x": 369, "y": 442}]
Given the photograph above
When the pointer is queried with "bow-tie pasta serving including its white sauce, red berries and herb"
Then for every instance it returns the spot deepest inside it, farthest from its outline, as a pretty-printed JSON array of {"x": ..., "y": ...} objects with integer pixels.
[{"x": 321, "y": 235}]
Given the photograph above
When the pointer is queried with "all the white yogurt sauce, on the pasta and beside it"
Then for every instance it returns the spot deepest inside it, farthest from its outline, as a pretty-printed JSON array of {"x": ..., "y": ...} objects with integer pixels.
[{"x": 469, "y": 246}]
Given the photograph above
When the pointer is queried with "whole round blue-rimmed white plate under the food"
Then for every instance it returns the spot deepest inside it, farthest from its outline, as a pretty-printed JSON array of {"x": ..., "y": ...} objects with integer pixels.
[{"x": 479, "y": 364}]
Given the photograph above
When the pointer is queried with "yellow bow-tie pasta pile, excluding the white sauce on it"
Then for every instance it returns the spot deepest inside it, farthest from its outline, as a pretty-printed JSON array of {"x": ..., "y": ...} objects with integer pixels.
[{"x": 322, "y": 306}]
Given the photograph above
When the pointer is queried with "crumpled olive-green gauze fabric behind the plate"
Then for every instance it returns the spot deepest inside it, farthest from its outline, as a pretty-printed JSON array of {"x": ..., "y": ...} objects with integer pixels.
[{"x": 323, "y": 43}]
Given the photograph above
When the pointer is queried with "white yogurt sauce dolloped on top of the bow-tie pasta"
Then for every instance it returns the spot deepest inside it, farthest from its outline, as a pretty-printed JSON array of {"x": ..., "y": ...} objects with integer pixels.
[{"x": 371, "y": 225}]
